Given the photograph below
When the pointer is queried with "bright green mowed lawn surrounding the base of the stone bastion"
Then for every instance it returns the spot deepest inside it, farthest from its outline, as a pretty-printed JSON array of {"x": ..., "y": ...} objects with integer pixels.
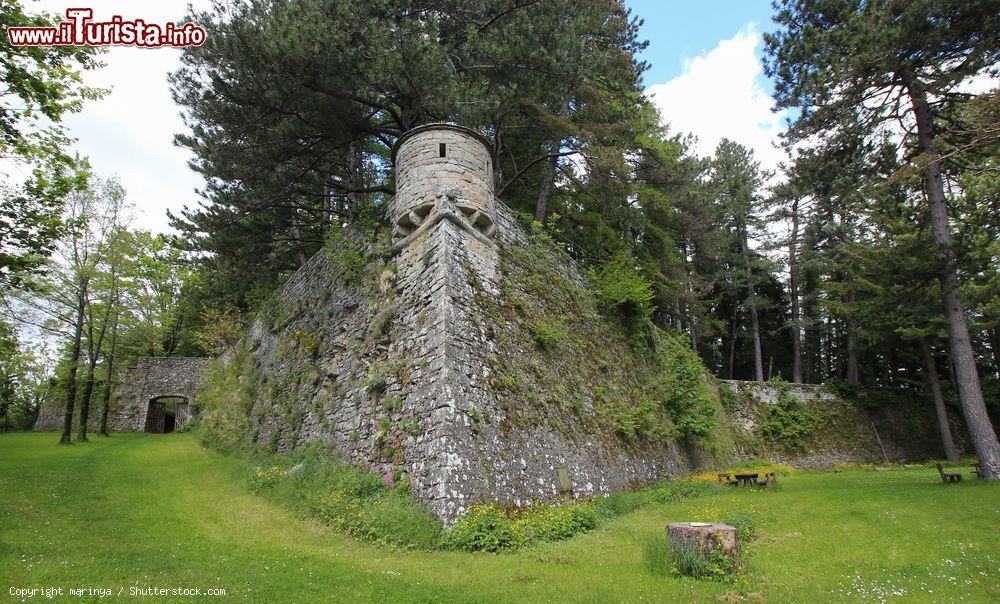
[{"x": 162, "y": 511}]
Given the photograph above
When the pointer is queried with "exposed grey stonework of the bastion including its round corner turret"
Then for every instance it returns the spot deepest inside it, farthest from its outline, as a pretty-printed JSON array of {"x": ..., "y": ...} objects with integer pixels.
[{"x": 403, "y": 378}]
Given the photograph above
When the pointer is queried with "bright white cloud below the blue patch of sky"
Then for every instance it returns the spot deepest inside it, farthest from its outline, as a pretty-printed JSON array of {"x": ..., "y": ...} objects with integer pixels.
[{"x": 720, "y": 95}]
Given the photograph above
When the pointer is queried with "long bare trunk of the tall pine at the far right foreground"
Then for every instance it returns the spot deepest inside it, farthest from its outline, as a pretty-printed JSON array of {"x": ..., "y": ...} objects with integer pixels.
[{"x": 981, "y": 432}]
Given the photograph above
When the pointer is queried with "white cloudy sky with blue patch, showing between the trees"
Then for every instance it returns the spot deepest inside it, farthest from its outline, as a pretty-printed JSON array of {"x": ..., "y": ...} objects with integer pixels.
[{"x": 705, "y": 76}]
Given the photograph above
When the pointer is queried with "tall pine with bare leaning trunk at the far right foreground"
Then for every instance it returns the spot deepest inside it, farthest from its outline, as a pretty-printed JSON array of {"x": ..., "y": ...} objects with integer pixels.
[{"x": 862, "y": 64}]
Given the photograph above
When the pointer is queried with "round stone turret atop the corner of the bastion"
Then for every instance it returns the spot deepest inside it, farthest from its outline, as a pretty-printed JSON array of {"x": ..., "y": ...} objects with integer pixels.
[{"x": 442, "y": 168}]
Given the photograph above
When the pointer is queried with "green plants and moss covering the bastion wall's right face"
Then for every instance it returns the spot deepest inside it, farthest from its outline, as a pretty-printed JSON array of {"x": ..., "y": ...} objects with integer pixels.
[{"x": 584, "y": 351}]
